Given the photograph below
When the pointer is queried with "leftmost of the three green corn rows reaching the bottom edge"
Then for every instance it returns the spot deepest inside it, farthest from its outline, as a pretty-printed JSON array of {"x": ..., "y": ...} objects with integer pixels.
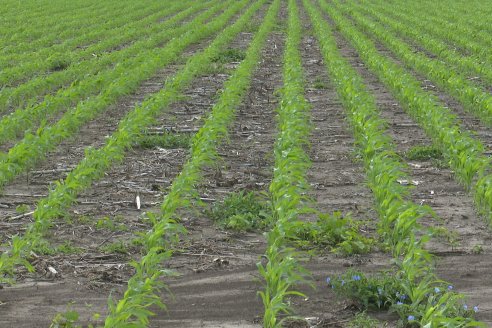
[{"x": 144, "y": 286}]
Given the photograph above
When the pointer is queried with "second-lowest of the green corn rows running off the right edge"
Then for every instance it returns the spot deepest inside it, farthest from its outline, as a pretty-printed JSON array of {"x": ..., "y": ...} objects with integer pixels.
[{"x": 474, "y": 99}]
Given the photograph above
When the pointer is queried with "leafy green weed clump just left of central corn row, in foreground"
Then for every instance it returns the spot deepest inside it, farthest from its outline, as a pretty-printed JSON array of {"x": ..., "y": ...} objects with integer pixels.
[{"x": 241, "y": 211}]
